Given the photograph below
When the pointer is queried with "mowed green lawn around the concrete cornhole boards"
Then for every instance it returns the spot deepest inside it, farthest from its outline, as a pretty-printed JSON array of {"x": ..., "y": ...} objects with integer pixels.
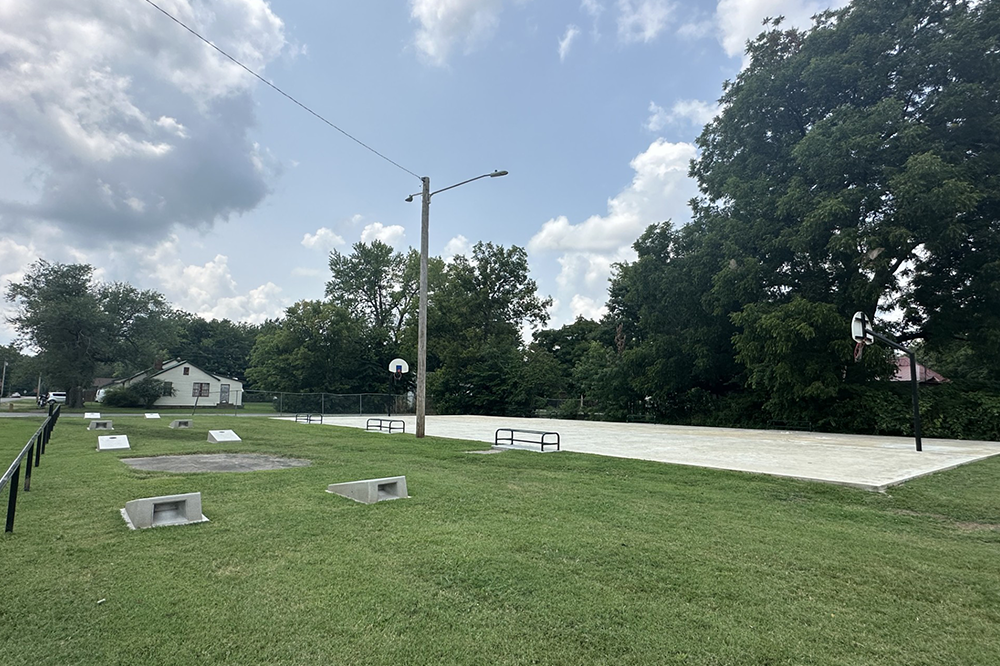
[{"x": 511, "y": 558}]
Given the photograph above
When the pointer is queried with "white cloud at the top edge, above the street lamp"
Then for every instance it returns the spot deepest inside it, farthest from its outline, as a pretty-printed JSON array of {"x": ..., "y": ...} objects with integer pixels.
[{"x": 443, "y": 23}]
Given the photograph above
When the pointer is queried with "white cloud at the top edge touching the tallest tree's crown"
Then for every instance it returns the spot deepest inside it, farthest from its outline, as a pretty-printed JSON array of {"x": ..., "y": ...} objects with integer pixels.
[{"x": 740, "y": 20}]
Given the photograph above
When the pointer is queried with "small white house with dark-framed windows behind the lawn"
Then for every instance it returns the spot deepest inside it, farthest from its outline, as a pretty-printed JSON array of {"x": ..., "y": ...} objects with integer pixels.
[{"x": 190, "y": 386}]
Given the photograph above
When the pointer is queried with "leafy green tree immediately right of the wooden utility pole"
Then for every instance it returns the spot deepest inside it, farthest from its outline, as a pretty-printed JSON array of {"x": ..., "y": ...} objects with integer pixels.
[{"x": 475, "y": 350}]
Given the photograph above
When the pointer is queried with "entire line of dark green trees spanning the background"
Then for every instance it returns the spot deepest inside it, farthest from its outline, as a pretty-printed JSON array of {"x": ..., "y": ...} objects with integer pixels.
[{"x": 852, "y": 166}]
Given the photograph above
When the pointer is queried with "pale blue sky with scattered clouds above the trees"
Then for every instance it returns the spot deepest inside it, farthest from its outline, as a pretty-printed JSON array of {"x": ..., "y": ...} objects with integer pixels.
[{"x": 128, "y": 144}]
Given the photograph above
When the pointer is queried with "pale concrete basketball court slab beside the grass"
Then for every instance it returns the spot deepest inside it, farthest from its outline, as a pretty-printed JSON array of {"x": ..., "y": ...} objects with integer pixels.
[{"x": 863, "y": 461}]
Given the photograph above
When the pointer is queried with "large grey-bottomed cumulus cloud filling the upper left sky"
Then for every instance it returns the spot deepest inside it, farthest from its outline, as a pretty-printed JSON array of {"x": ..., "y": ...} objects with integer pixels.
[{"x": 136, "y": 125}]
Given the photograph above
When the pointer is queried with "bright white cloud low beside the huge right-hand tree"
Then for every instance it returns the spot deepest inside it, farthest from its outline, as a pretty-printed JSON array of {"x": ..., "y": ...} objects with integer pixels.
[{"x": 659, "y": 190}]
